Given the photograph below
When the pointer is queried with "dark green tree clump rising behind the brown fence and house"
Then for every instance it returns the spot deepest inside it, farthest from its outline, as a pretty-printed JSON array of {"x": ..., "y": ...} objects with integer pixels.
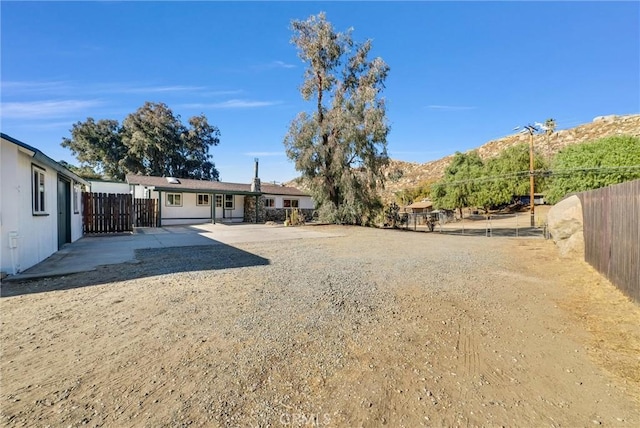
[{"x": 150, "y": 141}]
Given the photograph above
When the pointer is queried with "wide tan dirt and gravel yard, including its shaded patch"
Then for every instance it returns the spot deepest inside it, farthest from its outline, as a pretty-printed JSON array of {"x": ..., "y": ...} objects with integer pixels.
[{"x": 376, "y": 327}]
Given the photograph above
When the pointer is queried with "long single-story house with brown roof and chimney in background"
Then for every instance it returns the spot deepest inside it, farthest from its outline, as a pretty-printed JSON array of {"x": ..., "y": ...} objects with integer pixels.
[{"x": 188, "y": 201}]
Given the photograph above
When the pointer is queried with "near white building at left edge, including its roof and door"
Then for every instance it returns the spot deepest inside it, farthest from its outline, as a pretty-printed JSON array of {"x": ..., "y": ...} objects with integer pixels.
[{"x": 40, "y": 206}]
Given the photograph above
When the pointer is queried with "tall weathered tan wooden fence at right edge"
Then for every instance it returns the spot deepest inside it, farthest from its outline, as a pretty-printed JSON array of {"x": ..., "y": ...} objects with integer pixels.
[{"x": 612, "y": 234}]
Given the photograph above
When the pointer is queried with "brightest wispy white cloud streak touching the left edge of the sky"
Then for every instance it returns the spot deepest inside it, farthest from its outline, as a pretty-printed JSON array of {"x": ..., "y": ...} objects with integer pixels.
[{"x": 45, "y": 109}]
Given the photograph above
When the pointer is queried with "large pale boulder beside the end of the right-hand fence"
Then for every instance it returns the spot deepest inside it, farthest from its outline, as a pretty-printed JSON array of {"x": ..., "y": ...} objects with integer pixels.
[{"x": 566, "y": 226}]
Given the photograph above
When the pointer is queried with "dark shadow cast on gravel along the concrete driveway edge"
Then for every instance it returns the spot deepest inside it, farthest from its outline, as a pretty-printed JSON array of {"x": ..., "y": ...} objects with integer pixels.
[{"x": 149, "y": 262}]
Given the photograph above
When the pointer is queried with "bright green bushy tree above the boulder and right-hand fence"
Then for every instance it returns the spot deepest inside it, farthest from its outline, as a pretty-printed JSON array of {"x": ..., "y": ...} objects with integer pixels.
[{"x": 592, "y": 165}]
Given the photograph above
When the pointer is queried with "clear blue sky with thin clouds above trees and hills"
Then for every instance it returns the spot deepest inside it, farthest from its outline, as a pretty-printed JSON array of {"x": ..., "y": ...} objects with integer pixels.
[{"x": 462, "y": 73}]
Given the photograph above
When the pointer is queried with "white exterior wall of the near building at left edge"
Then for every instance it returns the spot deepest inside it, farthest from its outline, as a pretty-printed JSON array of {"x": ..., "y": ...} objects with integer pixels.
[{"x": 37, "y": 235}]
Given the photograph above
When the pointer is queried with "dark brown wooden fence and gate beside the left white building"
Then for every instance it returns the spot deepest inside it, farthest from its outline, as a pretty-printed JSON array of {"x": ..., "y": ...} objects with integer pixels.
[{"x": 116, "y": 212}]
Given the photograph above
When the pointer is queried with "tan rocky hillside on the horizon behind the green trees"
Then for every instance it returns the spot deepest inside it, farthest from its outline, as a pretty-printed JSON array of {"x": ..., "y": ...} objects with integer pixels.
[{"x": 414, "y": 174}]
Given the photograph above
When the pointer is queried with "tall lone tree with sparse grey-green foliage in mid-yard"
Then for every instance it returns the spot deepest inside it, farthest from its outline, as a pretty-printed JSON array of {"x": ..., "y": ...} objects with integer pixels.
[{"x": 340, "y": 147}]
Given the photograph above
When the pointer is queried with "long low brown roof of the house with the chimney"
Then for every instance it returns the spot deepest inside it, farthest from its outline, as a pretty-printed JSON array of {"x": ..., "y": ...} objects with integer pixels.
[{"x": 190, "y": 185}]
